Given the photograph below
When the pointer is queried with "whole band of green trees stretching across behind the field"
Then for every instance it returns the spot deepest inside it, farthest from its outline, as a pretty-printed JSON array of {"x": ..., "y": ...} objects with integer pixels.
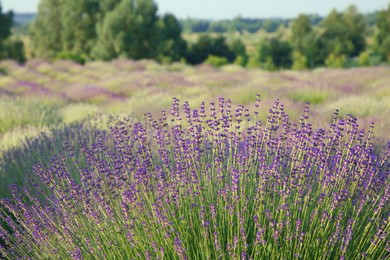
[{"x": 84, "y": 30}]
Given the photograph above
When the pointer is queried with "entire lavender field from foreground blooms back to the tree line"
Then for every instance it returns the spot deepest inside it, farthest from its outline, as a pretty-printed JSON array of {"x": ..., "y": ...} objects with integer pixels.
[{"x": 241, "y": 163}]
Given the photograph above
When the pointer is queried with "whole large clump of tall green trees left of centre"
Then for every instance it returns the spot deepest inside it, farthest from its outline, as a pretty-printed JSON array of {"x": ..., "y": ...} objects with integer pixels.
[{"x": 105, "y": 30}]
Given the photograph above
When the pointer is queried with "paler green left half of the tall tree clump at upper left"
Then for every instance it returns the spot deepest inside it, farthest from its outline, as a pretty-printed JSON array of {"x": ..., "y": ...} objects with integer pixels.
[{"x": 66, "y": 27}]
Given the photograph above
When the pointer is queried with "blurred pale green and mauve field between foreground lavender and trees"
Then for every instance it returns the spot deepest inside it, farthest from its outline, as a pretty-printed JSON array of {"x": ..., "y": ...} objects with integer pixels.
[{"x": 39, "y": 95}]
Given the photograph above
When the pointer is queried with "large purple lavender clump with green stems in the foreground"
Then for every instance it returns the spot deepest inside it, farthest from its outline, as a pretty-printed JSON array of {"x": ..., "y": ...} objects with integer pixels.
[{"x": 217, "y": 185}]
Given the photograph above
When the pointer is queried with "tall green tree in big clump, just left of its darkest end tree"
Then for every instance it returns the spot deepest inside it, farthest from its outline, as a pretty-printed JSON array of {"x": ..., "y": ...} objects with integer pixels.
[{"x": 130, "y": 30}]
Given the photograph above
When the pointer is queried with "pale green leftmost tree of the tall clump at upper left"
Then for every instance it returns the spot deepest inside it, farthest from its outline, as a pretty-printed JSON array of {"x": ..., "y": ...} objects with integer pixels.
[{"x": 45, "y": 30}]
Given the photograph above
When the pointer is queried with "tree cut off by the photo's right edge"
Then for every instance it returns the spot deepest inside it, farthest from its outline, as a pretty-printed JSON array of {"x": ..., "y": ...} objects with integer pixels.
[{"x": 382, "y": 38}]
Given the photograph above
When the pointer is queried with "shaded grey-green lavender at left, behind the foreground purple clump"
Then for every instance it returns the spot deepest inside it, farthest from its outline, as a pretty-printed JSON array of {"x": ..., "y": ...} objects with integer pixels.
[{"x": 16, "y": 161}]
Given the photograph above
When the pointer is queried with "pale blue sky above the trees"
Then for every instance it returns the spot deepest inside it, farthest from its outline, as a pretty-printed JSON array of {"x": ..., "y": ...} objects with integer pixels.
[{"x": 228, "y": 9}]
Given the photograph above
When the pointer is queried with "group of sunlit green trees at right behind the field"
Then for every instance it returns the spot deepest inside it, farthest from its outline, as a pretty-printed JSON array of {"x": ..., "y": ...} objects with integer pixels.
[{"x": 339, "y": 40}]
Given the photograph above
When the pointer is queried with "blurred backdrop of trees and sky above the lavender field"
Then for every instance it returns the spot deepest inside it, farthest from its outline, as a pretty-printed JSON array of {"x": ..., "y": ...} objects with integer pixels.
[{"x": 270, "y": 35}]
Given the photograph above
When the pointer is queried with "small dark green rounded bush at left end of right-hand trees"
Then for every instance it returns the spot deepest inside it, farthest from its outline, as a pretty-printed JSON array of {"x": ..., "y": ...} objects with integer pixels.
[{"x": 275, "y": 54}]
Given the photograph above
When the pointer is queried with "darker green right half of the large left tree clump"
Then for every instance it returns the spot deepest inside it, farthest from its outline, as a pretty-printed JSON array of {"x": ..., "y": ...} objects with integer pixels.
[{"x": 133, "y": 30}]
